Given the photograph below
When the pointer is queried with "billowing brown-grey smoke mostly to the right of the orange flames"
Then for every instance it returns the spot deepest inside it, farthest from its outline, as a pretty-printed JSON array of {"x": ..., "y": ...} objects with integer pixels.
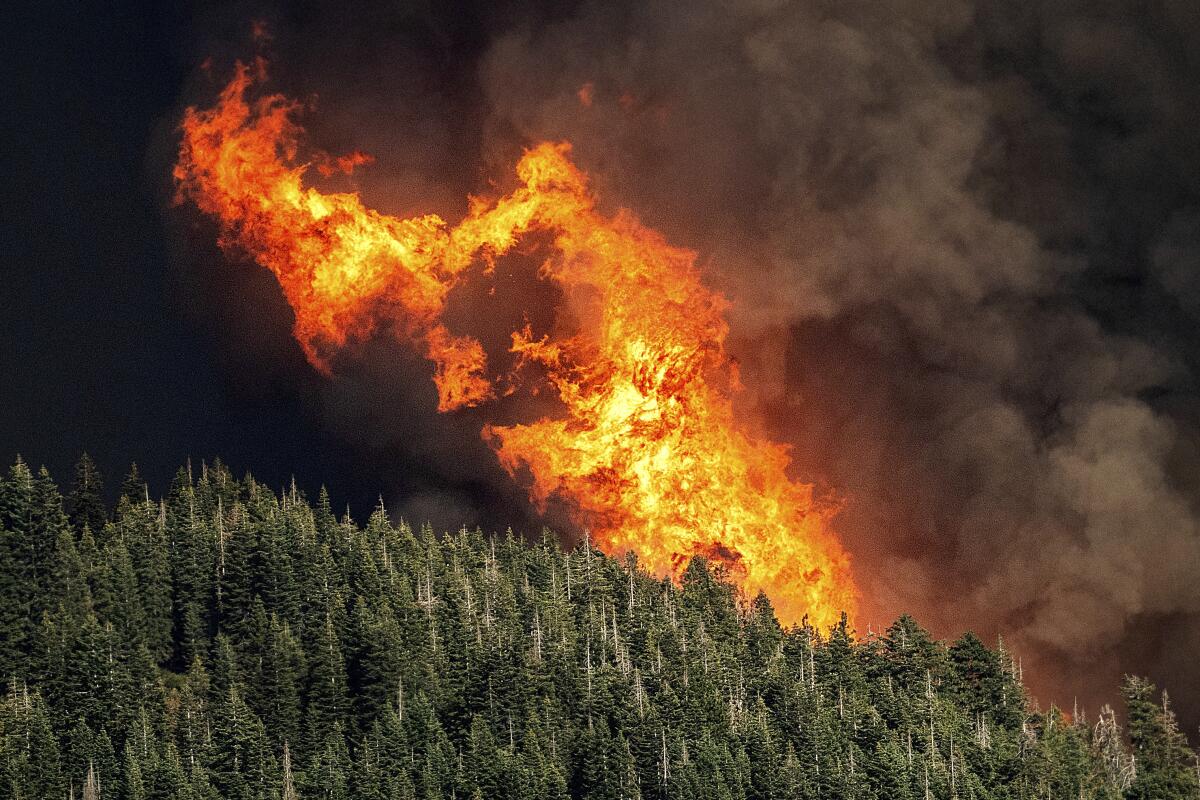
[{"x": 963, "y": 243}]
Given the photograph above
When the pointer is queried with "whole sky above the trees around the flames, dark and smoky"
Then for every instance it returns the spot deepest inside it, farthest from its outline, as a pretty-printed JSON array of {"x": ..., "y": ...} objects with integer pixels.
[{"x": 961, "y": 238}]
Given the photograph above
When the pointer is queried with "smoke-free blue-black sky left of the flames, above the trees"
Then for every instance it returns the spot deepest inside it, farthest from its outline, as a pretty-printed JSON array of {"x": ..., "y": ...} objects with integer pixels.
[{"x": 100, "y": 353}]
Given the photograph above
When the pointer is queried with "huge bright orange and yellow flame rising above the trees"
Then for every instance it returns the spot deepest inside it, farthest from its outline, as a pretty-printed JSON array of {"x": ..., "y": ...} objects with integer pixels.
[{"x": 647, "y": 453}]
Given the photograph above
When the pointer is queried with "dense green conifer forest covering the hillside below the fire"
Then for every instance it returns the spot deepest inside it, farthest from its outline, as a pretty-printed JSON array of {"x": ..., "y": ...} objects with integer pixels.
[{"x": 230, "y": 641}]
